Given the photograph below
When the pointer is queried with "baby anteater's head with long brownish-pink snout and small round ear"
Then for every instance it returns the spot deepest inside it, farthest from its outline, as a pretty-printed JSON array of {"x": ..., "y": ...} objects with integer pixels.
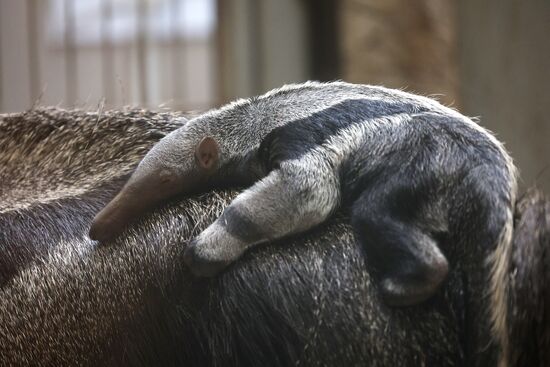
[{"x": 181, "y": 163}]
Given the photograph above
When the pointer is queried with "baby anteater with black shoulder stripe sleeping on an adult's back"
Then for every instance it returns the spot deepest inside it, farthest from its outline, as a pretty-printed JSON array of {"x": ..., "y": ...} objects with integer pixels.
[{"x": 405, "y": 164}]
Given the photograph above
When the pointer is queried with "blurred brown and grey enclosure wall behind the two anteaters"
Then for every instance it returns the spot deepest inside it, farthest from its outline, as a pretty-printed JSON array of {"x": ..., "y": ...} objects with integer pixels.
[{"x": 489, "y": 59}]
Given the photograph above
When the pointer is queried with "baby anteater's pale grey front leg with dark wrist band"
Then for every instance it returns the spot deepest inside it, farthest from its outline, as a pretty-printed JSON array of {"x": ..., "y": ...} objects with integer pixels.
[{"x": 291, "y": 199}]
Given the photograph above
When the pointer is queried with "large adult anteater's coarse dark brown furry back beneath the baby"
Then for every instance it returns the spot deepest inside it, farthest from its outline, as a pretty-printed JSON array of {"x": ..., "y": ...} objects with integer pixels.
[{"x": 309, "y": 301}]
